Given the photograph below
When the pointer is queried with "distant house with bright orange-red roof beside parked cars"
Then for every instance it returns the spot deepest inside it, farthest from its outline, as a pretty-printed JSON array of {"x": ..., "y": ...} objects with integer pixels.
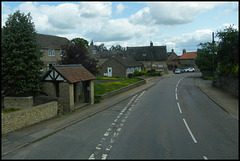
[{"x": 187, "y": 59}]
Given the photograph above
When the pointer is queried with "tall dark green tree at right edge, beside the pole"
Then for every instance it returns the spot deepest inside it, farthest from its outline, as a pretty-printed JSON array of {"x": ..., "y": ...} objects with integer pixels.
[{"x": 228, "y": 52}]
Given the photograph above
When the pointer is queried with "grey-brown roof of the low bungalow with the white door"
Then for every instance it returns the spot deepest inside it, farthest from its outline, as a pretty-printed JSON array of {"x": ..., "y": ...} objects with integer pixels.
[{"x": 126, "y": 61}]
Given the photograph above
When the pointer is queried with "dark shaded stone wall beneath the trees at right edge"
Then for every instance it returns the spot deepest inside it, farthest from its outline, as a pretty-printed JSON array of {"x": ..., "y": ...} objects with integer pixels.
[{"x": 229, "y": 84}]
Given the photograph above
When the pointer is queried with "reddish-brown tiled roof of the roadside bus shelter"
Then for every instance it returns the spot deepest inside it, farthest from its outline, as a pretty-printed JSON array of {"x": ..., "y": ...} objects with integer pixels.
[{"x": 74, "y": 73}]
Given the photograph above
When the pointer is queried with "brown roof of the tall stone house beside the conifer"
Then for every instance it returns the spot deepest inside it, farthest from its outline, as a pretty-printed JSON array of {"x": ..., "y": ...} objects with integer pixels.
[{"x": 50, "y": 41}]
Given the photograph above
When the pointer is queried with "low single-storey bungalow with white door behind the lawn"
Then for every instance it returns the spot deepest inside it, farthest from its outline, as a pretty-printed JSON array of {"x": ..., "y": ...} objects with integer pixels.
[{"x": 119, "y": 66}]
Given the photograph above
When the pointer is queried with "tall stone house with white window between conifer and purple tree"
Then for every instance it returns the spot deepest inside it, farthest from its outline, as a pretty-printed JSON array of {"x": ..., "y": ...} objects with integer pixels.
[{"x": 51, "y": 48}]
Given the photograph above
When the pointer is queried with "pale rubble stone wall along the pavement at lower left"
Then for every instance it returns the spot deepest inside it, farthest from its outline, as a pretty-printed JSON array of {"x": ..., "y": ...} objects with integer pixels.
[{"x": 26, "y": 117}]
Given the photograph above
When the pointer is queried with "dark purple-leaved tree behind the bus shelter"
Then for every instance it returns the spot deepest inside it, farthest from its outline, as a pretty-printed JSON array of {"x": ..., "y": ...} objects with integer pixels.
[{"x": 77, "y": 54}]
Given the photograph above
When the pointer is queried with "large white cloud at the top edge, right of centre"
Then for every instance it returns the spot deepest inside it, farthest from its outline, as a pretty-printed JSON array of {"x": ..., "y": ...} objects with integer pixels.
[{"x": 170, "y": 13}]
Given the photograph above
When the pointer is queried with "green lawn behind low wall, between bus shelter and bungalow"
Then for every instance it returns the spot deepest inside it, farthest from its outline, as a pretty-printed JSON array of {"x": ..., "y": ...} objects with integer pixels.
[{"x": 102, "y": 88}]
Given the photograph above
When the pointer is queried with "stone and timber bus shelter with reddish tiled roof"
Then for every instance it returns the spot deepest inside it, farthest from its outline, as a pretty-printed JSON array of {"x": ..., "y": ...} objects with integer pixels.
[{"x": 69, "y": 82}]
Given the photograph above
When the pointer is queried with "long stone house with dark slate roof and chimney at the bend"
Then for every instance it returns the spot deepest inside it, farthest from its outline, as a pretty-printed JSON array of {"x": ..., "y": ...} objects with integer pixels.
[{"x": 151, "y": 56}]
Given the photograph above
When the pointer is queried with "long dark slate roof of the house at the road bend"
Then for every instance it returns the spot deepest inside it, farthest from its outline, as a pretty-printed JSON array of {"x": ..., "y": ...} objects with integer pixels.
[{"x": 147, "y": 53}]
